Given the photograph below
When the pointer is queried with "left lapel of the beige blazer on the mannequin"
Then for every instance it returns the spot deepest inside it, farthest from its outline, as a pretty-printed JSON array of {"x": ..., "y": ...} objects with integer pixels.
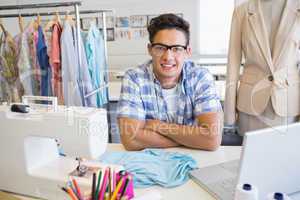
[{"x": 258, "y": 27}]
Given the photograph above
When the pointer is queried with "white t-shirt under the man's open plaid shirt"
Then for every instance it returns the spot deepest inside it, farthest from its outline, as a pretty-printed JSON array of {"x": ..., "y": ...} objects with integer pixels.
[{"x": 171, "y": 96}]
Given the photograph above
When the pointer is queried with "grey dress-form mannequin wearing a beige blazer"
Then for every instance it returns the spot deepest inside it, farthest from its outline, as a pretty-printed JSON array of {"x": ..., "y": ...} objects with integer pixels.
[{"x": 258, "y": 39}]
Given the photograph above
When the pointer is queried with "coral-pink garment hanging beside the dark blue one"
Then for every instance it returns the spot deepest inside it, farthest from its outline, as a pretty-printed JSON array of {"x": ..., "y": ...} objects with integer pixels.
[{"x": 55, "y": 60}]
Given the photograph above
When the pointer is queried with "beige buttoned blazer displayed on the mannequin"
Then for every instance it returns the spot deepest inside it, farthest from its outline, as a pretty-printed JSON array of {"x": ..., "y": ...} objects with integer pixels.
[{"x": 266, "y": 75}]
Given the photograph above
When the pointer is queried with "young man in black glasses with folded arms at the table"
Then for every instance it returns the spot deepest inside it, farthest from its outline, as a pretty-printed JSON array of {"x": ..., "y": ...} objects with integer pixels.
[{"x": 168, "y": 101}]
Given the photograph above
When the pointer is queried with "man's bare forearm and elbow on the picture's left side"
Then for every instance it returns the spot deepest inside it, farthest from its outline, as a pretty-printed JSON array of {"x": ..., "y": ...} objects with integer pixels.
[{"x": 134, "y": 136}]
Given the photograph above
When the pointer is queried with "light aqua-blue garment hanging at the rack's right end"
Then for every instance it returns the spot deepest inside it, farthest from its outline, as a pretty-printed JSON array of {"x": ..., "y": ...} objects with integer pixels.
[{"x": 94, "y": 47}]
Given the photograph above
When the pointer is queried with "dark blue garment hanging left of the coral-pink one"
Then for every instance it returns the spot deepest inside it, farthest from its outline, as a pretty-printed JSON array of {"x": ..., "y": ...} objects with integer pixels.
[{"x": 43, "y": 59}]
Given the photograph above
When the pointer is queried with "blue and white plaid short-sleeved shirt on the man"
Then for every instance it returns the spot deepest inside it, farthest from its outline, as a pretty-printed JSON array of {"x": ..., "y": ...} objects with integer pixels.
[{"x": 141, "y": 95}]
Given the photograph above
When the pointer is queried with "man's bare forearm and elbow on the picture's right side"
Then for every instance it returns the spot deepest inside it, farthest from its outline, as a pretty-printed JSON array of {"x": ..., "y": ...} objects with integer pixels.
[{"x": 207, "y": 135}]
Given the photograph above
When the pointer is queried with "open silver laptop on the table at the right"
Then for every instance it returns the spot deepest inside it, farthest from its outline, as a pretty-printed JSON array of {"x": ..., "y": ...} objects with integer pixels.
[{"x": 270, "y": 160}]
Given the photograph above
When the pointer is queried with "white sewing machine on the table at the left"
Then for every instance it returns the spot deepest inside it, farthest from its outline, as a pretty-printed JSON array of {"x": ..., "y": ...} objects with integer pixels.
[{"x": 30, "y": 163}]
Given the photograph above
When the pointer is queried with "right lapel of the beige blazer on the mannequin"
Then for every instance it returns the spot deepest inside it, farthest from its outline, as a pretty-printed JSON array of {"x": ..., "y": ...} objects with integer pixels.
[{"x": 286, "y": 28}]
